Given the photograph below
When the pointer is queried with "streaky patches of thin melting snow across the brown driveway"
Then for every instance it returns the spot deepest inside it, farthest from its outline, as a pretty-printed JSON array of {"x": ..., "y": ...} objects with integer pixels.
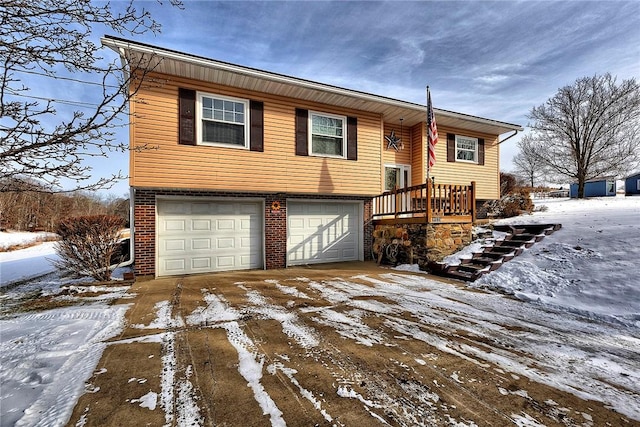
[{"x": 593, "y": 359}]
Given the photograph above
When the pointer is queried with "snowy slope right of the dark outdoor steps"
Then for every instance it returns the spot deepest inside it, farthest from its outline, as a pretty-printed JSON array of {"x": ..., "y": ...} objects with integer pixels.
[{"x": 590, "y": 266}]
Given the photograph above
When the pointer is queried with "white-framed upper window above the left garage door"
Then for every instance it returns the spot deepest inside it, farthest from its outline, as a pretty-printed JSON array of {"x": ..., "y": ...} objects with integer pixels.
[{"x": 222, "y": 121}]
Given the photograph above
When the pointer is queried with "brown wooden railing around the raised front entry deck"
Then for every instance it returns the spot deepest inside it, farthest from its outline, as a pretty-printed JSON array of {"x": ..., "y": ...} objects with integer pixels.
[{"x": 428, "y": 202}]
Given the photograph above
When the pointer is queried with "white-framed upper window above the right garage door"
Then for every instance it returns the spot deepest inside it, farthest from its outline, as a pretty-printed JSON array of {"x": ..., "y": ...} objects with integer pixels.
[{"x": 327, "y": 136}]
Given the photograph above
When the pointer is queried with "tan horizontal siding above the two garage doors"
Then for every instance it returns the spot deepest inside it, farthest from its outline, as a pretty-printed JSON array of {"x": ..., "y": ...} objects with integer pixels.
[{"x": 170, "y": 165}]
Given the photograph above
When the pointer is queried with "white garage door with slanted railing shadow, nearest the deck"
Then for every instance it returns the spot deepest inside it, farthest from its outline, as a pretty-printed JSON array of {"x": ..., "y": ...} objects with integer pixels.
[{"x": 323, "y": 232}]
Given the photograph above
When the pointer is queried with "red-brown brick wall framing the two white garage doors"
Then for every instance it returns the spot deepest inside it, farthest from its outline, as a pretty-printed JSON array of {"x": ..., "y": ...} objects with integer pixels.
[{"x": 275, "y": 221}]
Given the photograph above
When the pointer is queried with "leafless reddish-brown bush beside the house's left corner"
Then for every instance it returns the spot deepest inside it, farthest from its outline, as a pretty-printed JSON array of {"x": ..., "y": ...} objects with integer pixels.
[{"x": 88, "y": 244}]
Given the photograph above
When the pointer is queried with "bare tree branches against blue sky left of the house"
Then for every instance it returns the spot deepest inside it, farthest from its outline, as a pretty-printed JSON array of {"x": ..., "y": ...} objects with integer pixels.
[{"x": 49, "y": 138}]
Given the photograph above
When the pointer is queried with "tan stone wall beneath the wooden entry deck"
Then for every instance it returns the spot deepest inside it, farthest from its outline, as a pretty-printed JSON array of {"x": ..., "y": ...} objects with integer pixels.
[{"x": 421, "y": 243}]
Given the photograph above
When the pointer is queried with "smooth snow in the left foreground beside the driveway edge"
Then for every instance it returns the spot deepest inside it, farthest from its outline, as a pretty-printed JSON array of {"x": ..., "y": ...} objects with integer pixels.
[{"x": 46, "y": 358}]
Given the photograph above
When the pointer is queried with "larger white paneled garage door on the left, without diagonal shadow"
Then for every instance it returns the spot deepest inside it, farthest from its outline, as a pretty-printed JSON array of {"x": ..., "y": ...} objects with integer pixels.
[{"x": 206, "y": 236}]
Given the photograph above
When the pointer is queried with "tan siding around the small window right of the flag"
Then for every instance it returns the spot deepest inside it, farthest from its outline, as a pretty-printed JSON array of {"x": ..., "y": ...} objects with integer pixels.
[{"x": 487, "y": 176}]
